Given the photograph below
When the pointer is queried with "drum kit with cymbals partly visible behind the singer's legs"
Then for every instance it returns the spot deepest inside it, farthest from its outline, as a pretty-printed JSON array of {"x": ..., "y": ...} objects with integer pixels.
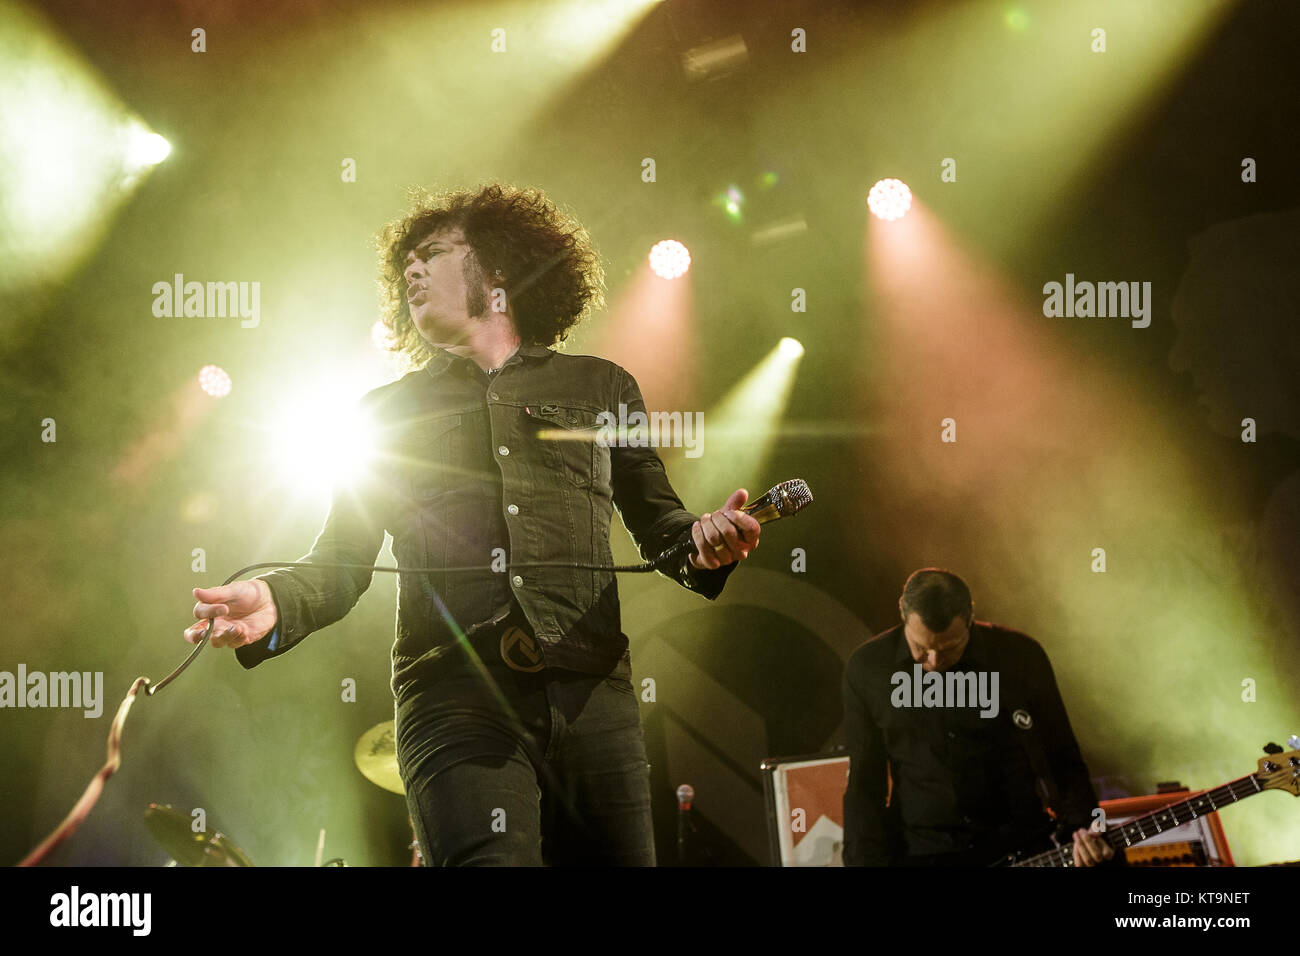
[{"x": 375, "y": 755}]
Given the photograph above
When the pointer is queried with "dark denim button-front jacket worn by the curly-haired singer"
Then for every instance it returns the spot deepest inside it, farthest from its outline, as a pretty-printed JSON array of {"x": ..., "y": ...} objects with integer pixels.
[{"x": 470, "y": 465}]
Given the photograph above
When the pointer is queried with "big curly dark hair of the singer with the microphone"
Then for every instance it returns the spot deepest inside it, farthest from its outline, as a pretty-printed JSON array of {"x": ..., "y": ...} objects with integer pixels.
[{"x": 553, "y": 274}]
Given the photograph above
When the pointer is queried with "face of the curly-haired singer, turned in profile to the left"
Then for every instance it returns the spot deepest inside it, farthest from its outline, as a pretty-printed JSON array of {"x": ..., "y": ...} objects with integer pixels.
[{"x": 447, "y": 288}]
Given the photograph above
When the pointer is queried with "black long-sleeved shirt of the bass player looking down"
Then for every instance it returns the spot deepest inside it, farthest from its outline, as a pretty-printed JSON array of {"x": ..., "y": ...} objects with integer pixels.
[{"x": 961, "y": 784}]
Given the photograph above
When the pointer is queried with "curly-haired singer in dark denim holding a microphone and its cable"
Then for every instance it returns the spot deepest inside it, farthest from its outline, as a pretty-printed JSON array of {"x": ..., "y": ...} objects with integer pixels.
[{"x": 519, "y": 743}]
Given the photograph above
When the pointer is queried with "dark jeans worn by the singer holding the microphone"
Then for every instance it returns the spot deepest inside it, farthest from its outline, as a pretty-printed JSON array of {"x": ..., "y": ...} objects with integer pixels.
[{"x": 553, "y": 775}]
